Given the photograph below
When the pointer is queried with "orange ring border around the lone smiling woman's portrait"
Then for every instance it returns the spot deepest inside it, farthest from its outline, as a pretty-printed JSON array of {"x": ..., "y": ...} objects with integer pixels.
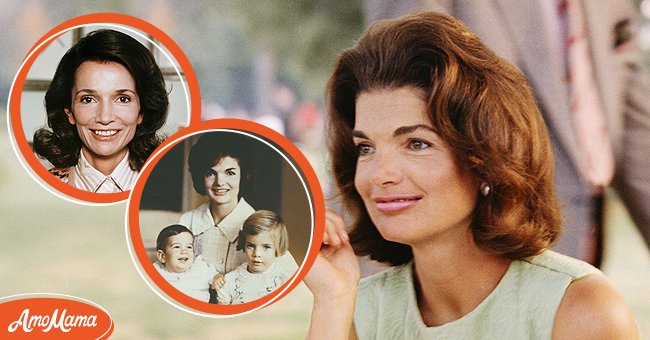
[{"x": 17, "y": 90}]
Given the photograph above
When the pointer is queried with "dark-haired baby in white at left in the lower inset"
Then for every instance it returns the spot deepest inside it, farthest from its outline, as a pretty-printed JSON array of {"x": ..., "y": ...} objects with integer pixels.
[{"x": 178, "y": 265}]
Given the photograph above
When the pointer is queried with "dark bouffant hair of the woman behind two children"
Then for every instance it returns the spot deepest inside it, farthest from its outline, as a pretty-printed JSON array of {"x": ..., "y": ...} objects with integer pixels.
[{"x": 215, "y": 145}]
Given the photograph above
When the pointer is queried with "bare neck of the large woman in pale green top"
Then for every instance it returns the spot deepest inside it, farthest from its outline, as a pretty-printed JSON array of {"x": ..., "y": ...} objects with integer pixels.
[{"x": 452, "y": 278}]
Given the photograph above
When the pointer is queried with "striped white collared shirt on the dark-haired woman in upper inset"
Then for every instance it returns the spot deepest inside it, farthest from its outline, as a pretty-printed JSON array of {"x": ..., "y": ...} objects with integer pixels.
[{"x": 84, "y": 176}]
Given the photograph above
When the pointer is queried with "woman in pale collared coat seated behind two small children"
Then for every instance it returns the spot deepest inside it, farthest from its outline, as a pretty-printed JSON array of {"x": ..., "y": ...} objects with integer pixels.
[{"x": 222, "y": 168}]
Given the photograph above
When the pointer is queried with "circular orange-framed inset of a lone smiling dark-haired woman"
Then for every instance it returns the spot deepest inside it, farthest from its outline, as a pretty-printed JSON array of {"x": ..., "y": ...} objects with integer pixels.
[{"x": 93, "y": 100}]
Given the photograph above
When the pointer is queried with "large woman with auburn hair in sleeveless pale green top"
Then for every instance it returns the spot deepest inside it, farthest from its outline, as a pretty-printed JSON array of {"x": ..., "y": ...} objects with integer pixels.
[{"x": 444, "y": 166}]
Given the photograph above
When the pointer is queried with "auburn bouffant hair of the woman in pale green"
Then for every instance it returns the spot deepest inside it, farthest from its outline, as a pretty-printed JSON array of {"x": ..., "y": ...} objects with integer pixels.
[{"x": 480, "y": 104}]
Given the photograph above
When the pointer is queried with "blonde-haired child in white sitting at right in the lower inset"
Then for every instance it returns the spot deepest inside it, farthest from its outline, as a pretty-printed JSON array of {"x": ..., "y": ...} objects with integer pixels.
[{"x": 265, "y": 241}]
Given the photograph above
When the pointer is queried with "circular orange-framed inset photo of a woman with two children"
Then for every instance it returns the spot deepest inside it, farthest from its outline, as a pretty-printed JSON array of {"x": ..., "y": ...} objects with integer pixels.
[{"x": 222, "y": 220}]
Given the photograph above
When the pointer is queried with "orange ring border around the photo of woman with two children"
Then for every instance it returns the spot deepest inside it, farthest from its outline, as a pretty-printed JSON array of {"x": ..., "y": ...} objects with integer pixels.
[{"x": 134, "y": 238}]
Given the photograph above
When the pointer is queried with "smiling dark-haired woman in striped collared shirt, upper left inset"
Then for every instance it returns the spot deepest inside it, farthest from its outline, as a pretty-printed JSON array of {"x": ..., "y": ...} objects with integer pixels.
[{"x": 105, "y": 105}]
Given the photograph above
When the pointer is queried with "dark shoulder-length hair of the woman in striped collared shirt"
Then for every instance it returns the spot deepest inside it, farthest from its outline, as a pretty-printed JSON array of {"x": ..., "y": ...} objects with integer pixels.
[{"x": 61, "y": 144}]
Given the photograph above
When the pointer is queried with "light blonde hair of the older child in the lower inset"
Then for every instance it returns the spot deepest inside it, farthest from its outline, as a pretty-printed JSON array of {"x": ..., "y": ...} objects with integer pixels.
[{"x": 265, "y": 220}]
